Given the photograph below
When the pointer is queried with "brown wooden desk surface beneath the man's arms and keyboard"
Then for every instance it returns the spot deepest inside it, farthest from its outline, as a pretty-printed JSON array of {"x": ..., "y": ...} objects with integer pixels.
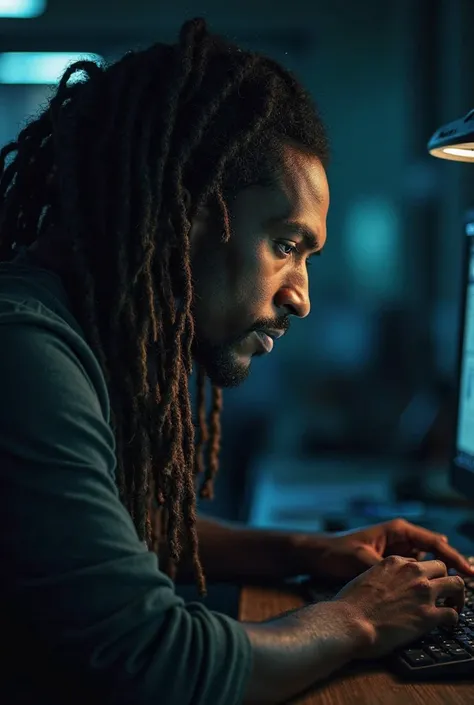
[{"x": 354, "y": 685}]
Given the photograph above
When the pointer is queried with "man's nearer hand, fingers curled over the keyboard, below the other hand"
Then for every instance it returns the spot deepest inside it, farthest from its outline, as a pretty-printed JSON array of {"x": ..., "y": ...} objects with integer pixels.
[{"x": 396, "y": 599}]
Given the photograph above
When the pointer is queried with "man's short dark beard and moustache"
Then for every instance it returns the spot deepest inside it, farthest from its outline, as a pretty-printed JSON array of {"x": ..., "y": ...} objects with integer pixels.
[{"x": 222, "y": 364}]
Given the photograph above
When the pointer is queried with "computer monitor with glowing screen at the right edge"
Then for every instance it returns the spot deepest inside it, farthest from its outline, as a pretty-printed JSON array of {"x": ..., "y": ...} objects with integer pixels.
[{"x": 462, "y": 467}]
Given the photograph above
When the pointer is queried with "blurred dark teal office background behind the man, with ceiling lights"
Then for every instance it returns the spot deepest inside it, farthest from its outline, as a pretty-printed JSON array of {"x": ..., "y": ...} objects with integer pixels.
[{"x": 353, "y": 411}]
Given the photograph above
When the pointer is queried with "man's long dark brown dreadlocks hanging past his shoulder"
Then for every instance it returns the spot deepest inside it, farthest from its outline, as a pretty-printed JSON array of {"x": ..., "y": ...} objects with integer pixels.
[{"x": 107, "y": 165}]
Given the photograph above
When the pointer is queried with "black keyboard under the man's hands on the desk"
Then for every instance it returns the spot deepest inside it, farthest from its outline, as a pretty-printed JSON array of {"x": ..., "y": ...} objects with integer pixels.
[{"x": 443, "y": 653}]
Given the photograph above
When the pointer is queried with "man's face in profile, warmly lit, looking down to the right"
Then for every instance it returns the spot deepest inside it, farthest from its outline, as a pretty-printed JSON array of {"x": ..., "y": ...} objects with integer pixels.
[{"x": 247, "y": 289}]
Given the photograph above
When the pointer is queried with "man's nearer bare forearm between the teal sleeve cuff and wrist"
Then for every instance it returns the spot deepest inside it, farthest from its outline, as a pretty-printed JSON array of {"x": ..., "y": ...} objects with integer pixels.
[{"x": 294, "y": 652}]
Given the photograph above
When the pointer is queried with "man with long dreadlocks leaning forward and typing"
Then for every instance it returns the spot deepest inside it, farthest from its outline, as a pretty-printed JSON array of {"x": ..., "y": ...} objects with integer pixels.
[{"x": 164, "y": 209}]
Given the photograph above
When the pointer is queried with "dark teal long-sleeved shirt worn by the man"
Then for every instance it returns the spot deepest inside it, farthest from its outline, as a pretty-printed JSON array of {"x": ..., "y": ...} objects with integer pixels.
[{"x": 86, "y": 615}]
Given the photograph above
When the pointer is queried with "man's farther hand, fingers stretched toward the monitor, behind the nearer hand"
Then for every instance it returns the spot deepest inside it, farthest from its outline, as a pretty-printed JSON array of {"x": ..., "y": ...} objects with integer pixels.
[{"x": 343, "y": 555}]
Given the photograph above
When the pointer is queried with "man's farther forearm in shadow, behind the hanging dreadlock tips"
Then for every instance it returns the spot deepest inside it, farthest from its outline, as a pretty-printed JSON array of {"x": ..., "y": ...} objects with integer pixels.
[{"x": 233, "y": 552}]
